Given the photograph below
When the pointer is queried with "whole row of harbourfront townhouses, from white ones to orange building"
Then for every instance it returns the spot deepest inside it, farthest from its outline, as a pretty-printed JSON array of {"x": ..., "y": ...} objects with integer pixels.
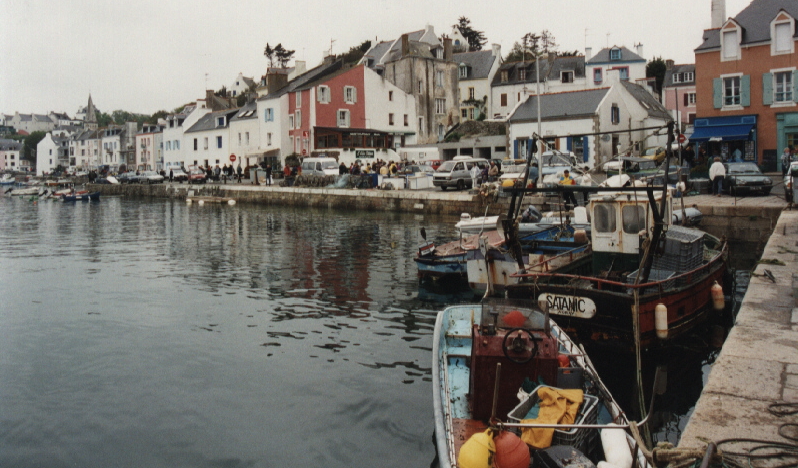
[{"x": 416, "y": 98}]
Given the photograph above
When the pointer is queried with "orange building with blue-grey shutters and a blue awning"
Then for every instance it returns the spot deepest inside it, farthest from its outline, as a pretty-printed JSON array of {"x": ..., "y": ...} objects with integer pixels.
[{"x": 747, "y": 84}]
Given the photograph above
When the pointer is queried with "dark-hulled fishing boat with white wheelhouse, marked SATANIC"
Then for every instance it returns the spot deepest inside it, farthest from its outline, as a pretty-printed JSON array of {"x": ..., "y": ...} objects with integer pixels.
[{"x": 645, "y": 280}]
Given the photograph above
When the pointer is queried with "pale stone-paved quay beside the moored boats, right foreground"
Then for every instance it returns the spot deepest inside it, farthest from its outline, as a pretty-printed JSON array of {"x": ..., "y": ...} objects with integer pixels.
[{"x": 758, "y": 364}]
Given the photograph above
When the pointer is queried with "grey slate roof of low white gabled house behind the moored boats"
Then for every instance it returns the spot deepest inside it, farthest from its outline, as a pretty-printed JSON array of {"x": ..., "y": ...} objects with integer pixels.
[{"x": 559, "y": 105}]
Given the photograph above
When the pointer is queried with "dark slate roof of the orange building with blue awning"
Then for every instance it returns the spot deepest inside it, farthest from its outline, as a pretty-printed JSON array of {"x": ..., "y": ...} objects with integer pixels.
[{"x": 755, "y": 22}]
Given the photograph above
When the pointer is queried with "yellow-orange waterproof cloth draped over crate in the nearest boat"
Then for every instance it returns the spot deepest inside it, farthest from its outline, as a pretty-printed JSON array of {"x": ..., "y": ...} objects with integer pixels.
[{"x": 556, "y": 407}]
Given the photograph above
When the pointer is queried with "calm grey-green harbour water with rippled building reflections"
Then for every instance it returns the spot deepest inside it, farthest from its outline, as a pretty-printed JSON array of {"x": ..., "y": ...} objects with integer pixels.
[{"x": 154, "y": 333}]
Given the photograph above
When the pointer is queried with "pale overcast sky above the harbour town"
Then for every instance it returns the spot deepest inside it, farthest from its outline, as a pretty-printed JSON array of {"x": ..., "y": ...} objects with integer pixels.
[{"x": 147, "y": 55}]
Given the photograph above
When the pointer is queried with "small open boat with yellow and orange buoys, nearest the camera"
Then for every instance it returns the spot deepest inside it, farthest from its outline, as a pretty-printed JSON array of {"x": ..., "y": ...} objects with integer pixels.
[{"x": 493, "y": 364}]
